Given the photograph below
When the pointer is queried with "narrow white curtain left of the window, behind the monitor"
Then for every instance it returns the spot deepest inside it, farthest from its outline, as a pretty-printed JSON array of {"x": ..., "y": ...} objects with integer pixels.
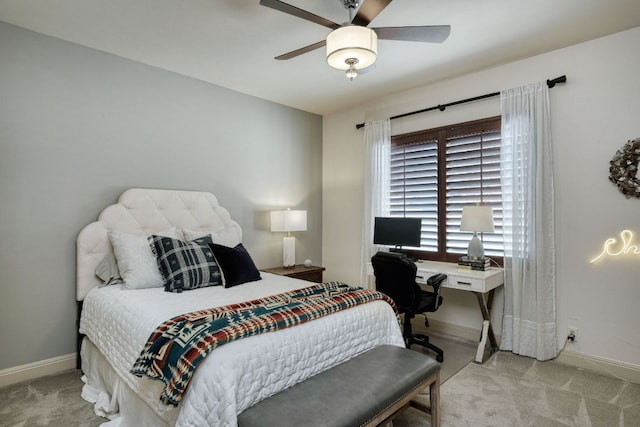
[{"x": 377, "y": 179}]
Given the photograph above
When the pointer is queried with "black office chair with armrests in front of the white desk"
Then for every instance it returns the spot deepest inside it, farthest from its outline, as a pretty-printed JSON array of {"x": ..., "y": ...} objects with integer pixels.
[{"x": 396, "y": 277}]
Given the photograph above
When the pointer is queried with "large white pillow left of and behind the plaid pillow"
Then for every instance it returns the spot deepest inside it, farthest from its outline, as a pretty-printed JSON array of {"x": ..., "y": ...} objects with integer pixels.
[{"x": 136, "y": 261}]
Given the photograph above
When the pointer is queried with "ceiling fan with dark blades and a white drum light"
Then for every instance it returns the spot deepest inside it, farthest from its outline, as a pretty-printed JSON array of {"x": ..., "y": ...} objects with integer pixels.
[{"x": 352, "y": 46}]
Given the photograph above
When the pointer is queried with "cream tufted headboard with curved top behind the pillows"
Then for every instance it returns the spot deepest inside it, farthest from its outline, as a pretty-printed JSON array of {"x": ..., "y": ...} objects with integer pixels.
[{"x": 145, "y": 211}]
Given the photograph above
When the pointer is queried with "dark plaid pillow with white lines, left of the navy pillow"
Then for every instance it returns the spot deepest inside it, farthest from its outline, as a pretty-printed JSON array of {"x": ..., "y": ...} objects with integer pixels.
[{"x": 185, "y": 265}]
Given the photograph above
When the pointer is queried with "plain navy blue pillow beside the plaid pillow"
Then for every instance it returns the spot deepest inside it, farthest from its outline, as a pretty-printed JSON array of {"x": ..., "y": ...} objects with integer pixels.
[{"x": 236, "y": 264}]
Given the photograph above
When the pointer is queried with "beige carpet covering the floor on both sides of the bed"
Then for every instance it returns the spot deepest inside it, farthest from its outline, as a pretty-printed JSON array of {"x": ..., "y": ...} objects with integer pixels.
[{"x": 507, "y": 391}]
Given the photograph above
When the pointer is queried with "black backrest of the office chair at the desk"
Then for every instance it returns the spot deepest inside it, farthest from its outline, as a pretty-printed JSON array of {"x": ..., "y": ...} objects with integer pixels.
[{"x": 396, "y": 277}]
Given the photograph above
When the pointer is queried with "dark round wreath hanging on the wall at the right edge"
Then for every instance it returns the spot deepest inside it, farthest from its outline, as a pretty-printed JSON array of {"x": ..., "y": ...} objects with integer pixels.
[{"x": 623, "y": 169}]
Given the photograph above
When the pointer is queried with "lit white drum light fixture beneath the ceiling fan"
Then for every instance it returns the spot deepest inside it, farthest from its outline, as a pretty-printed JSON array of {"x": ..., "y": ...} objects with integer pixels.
[{"x": 352, "y": 47}]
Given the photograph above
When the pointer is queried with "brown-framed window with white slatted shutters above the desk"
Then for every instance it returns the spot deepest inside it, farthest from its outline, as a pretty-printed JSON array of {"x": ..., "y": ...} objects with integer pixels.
[{"x": 434, "y": 173}]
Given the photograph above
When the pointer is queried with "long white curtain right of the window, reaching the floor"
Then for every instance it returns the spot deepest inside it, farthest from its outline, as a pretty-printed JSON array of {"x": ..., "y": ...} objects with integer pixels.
[{"x": 529, "y": 324}]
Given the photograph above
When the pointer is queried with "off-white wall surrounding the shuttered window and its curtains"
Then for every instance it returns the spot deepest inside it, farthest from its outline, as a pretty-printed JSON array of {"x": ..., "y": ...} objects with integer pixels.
[{"x": 593, "y": 115}]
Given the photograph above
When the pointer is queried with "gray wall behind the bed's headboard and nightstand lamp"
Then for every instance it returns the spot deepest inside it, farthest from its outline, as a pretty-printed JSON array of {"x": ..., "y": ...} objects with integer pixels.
[{"x": 78, "y": 126}]
